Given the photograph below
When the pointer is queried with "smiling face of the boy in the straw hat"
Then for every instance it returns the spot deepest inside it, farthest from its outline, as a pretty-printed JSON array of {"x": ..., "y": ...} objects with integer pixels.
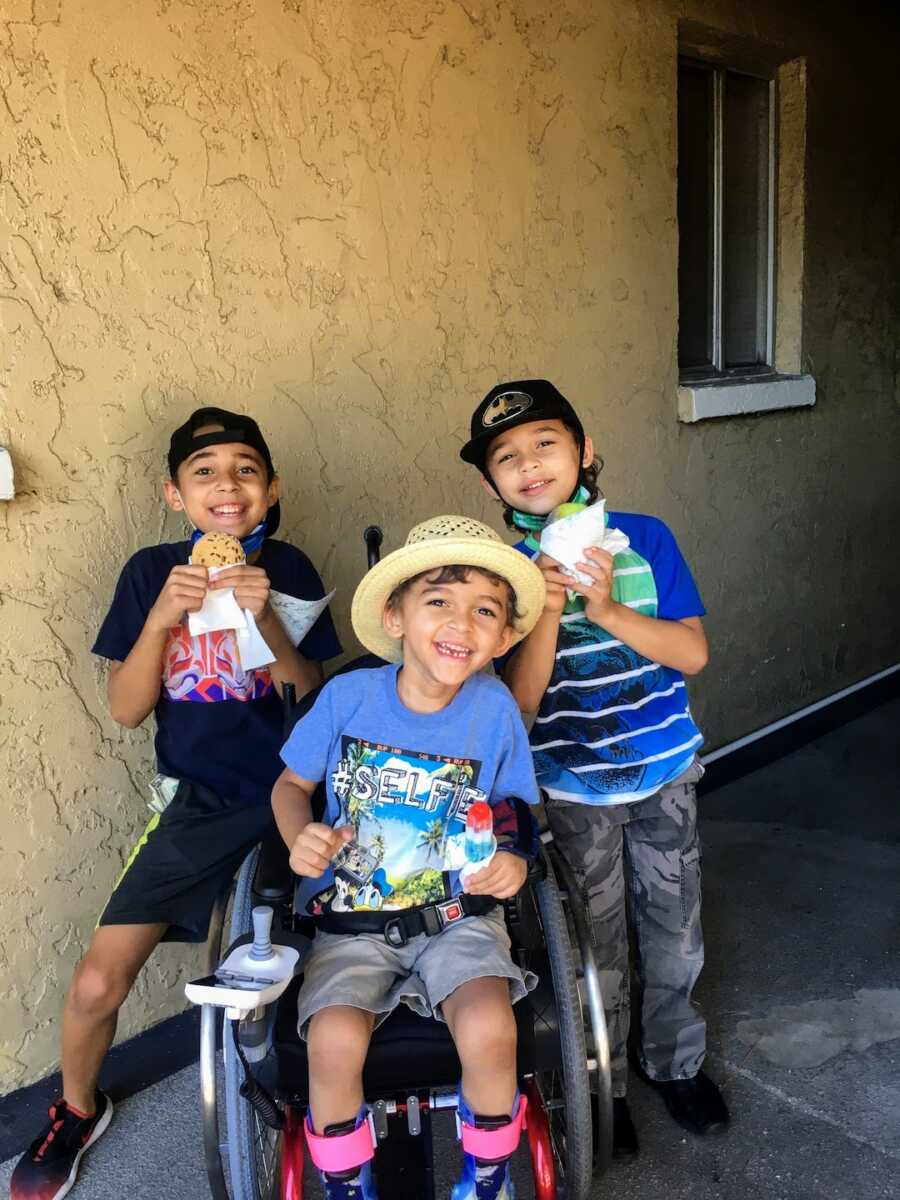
[{"x": 451, "y": 631}]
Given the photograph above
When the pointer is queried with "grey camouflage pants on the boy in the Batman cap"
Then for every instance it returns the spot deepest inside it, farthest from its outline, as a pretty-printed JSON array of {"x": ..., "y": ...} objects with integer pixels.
[{"x": 644, "y": 859}]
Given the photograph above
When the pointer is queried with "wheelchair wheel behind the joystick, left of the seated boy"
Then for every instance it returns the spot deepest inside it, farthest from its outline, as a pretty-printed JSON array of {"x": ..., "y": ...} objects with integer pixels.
[{"x": 254, "y": 1147}]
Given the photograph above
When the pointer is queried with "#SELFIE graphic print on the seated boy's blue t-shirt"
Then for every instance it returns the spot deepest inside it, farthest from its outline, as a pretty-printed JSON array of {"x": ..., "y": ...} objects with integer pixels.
[{"x": 409, "y": 813}]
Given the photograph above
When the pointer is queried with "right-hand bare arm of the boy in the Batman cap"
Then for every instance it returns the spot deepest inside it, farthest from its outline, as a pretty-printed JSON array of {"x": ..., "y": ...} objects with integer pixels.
[{"x": 681, "y": 645}]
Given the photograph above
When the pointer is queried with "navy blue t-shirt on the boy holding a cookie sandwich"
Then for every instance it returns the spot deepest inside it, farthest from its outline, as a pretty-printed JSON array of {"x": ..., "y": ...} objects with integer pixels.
[{"x": 218, "y": 724}]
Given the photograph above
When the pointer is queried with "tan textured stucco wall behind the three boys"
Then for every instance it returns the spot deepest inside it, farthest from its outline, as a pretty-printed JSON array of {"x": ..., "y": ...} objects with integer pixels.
[{"x": 353, "y": 219}]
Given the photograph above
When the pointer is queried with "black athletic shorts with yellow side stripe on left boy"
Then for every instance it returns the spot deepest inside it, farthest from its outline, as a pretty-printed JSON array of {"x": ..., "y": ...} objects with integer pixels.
[{"x": 184, "y": 861}]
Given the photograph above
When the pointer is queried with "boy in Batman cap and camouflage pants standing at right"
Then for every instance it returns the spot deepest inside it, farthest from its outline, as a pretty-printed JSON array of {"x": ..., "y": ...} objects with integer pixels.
[{"x": 615, "y": 745}]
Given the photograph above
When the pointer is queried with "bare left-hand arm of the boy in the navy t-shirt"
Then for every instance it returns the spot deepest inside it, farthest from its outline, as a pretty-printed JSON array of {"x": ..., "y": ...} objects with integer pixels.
[{"x": 134, "y": 686}]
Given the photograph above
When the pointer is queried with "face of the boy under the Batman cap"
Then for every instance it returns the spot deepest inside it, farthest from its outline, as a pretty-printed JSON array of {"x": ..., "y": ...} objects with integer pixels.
[{"x": 535, "y": 467}]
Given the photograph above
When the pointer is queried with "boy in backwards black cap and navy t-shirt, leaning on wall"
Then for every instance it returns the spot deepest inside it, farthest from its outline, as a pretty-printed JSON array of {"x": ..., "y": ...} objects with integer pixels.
[{"x": 218, "y": 742}]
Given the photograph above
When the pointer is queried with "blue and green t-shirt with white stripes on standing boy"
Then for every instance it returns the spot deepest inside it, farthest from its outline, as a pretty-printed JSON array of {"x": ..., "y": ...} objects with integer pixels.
[{"x": 614, "y": 727}]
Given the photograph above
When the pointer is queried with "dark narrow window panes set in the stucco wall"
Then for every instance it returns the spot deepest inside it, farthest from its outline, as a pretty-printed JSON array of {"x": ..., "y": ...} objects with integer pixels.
[{"x": 727, "y": 236}]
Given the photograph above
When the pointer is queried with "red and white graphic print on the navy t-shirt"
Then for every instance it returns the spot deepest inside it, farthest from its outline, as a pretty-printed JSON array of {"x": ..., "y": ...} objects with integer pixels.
[{"x": 208, "y": 669}]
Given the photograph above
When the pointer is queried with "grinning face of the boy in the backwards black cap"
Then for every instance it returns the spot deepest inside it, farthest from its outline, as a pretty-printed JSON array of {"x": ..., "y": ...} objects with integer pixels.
[{"x": 224, "y": 488}]
